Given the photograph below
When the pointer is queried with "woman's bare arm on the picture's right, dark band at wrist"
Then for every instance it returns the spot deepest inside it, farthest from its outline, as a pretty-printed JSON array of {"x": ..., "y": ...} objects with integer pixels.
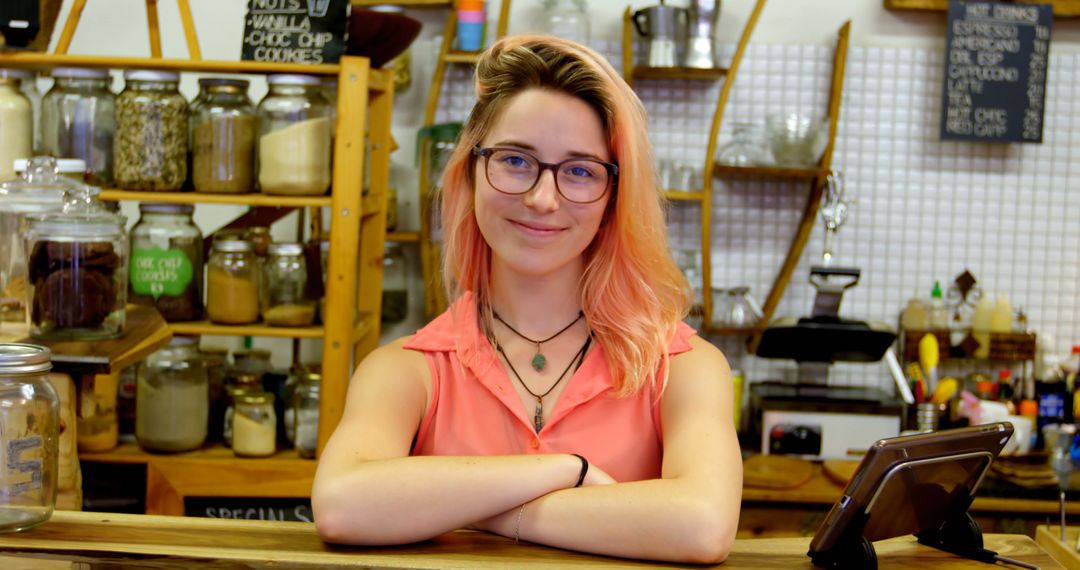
[{"x": 690, "y": 515}]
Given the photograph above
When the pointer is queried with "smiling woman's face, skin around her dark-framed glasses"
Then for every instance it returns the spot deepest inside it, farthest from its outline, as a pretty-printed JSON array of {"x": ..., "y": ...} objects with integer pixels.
[{"x": 542, "y": 233}]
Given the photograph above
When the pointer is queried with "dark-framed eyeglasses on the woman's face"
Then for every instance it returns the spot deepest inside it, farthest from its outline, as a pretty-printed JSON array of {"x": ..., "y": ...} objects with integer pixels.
[{"x": 517, "y": 172}]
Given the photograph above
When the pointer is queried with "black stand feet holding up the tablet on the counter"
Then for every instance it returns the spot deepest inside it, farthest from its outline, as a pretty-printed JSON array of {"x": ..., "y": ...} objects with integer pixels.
[{"x": 960, "y": 535}]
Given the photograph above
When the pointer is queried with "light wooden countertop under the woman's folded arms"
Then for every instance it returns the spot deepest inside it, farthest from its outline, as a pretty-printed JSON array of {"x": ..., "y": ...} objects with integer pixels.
[{"x": 184, "y": 542}]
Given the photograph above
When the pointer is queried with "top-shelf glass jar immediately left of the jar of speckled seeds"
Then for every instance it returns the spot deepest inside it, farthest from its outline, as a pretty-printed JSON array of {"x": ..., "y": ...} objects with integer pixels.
[{"x": 78, "y": 120}]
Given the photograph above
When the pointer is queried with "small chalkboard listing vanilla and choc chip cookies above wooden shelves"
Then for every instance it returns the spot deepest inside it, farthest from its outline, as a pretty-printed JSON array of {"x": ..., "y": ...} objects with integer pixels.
[{"x": 295, "y": 32}]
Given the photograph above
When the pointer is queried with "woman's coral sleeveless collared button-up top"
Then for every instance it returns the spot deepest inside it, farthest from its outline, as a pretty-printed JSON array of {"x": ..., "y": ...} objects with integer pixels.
[{"x": 476, "y": 411}]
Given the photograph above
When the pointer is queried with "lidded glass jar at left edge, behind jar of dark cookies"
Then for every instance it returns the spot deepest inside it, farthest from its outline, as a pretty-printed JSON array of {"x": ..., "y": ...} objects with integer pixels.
[{"x": 39, "y": 191}]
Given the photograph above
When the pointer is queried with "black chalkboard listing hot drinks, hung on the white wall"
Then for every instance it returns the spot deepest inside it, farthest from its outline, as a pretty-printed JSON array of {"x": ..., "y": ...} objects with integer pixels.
[{"x": 996, "y": 58}]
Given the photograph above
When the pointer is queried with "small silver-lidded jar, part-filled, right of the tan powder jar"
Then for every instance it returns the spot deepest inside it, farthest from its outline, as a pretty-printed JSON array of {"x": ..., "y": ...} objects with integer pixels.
[{"x": 286, "y": 284}]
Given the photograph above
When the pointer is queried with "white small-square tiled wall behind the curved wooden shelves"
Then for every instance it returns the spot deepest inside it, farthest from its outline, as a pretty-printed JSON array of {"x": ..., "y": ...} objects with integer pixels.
[{"x": 924, "y": 210}]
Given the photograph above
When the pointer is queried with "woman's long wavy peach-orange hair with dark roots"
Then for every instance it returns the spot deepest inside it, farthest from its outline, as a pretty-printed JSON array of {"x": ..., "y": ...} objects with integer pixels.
[{"x": 632, "y": 293}]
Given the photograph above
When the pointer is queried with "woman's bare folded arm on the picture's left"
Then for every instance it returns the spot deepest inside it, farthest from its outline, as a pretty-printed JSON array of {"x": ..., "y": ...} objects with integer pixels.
[{"x": 368, "y": 491}]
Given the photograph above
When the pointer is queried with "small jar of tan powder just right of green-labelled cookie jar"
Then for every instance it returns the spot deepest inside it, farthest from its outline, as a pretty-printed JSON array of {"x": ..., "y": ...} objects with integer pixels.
[{"x": 233, "y": 283}]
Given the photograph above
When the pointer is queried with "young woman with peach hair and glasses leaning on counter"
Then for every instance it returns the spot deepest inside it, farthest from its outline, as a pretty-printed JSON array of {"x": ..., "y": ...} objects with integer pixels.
[{"x": 560, "y": 400}]
